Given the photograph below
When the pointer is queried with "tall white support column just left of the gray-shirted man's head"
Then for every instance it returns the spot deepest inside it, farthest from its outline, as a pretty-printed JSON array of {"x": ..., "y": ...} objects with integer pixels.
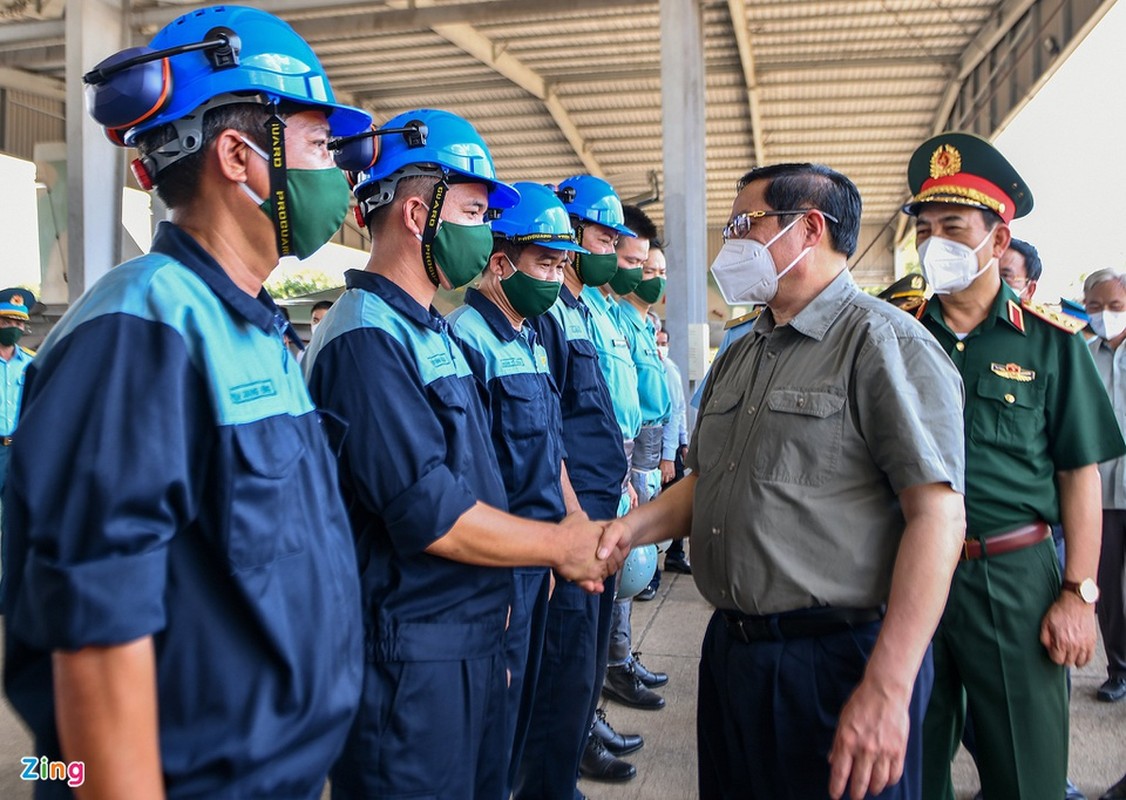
[{"x": 685, "y": 185}]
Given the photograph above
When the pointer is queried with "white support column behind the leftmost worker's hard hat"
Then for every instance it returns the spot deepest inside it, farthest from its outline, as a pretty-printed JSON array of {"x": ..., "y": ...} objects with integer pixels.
[{"x": 95, "y": 168}]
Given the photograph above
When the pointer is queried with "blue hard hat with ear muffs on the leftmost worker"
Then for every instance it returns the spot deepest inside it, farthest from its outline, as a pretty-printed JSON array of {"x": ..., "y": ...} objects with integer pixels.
[{"x": 256, "y": 58}]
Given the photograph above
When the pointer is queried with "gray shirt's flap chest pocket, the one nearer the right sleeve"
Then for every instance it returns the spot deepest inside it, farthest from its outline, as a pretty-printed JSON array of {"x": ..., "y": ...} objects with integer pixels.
[{"x": 799, "y": 437}]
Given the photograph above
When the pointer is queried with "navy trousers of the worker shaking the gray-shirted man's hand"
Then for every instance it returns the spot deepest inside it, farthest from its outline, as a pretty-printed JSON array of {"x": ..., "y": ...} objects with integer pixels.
[{"x": 427, "y": 730}]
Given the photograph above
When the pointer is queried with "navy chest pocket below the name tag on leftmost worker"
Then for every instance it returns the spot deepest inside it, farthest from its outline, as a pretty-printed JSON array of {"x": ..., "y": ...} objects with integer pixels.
[{"x": 264, "y": 525}]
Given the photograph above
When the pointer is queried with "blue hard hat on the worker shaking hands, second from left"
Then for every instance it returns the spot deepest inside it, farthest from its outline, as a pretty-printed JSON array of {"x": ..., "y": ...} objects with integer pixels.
[{"x": 449, "y": 146}]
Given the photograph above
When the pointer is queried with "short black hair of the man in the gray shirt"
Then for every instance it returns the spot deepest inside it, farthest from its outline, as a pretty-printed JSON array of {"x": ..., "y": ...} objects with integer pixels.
[{"x": 814, "y": 186}]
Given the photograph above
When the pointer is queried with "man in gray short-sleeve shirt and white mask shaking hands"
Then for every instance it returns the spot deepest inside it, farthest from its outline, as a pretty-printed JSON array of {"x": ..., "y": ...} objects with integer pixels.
[{"x": 827, "y": 478}]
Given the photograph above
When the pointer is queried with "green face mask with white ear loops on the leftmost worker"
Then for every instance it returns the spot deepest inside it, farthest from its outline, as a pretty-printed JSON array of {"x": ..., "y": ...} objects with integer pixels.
[{"x": 317, "y": 200}]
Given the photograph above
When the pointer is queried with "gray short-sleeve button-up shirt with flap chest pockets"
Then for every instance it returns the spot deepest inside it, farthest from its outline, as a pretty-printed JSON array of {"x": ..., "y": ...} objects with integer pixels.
[{"x": 807, "y": 434}]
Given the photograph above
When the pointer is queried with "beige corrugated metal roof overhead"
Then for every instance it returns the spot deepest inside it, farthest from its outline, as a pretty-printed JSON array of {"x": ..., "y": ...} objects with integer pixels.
[{"x": 854, "y": 84}]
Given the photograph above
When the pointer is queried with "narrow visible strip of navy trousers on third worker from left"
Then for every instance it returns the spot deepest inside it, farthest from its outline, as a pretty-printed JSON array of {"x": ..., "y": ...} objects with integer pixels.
[{"x": 524, "y": 653}]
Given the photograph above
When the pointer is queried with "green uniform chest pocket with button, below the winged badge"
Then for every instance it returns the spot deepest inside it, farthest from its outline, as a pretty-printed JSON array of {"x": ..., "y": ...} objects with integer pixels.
[{"x": 1008, "y": 414}]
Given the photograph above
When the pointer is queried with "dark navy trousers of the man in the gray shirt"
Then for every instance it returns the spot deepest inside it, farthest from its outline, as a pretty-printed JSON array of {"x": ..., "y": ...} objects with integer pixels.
[{"x": 767, "y": 714}]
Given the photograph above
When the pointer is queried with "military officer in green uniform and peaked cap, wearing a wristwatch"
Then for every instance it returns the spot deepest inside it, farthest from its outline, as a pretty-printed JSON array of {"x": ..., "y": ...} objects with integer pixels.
[{"x": 1036, "y": 429}]
